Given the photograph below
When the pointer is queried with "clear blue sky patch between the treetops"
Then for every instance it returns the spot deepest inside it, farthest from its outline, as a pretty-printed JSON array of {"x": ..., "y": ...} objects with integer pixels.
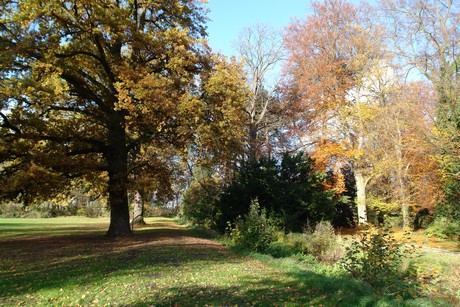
[{"x": 229, "y": 17}]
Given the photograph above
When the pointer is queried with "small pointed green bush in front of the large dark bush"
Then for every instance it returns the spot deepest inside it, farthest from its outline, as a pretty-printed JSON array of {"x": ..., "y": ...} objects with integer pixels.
[{"x": 255, "y": 230}]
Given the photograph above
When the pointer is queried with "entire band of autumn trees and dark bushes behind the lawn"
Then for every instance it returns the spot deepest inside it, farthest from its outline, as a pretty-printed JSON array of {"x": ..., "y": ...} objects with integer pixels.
[{"x": 123, "y": 104}]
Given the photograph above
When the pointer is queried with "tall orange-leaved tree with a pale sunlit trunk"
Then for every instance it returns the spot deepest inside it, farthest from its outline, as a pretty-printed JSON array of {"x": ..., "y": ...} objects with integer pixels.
[{"x": 330, "y": 55}]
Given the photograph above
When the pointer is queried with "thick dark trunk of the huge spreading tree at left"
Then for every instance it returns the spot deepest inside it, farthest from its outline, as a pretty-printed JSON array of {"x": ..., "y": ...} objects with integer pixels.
[{"x": 117, "y": 160}]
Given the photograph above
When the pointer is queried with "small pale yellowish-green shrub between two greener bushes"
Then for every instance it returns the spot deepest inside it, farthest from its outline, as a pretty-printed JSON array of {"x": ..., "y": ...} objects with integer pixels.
[{"x": 322, "y": 242}]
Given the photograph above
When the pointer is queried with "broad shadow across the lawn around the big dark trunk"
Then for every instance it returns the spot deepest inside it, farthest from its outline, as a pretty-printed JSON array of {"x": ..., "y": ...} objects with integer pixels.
[{"x": 31, "y": 264}]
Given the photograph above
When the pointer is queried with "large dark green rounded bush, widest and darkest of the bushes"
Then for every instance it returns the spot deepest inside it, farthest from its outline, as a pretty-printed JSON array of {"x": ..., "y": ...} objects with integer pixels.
[{"x": 289, "y": 188}]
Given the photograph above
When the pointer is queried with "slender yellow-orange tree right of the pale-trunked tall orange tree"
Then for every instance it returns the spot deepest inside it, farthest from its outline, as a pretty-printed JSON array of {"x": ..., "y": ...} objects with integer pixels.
[{"x": 406, "y": 171}]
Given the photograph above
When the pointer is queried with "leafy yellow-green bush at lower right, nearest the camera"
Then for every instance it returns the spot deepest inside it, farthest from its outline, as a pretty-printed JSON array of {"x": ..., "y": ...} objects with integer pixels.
[{"x": 376, "y": 257}]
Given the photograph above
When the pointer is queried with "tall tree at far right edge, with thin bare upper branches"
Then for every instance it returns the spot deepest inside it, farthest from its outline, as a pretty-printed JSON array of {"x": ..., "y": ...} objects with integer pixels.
[{"x": 426, "y": 36}]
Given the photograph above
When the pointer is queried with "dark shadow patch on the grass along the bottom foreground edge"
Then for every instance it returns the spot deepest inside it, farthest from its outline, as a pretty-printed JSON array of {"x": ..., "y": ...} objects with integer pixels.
[{"x": 306, "y": 289}]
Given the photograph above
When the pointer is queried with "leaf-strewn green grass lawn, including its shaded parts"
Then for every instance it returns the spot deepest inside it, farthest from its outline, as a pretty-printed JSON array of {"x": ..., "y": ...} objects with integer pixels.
[{"x": 68, "y": 261}]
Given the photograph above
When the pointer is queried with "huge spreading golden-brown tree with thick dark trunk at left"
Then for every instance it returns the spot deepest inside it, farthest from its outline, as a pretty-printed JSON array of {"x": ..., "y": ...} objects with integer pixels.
[{"x": 85, "y": 82}]
